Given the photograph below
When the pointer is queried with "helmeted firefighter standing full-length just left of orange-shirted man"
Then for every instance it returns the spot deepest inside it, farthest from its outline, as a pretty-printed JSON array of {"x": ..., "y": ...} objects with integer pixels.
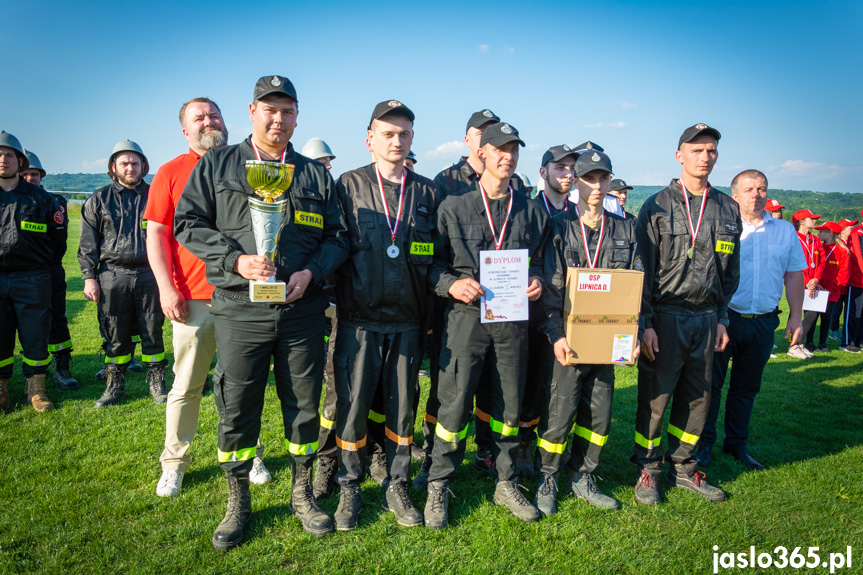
[{"x": 117, "y": 275}]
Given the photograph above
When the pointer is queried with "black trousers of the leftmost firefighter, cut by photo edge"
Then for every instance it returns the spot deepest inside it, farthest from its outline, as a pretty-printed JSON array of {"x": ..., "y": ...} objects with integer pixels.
[{"x": 25, "y": 307}]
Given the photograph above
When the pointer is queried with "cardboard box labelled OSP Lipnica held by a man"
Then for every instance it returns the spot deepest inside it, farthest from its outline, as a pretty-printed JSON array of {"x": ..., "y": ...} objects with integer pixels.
[{"x": 601, "y": 310}]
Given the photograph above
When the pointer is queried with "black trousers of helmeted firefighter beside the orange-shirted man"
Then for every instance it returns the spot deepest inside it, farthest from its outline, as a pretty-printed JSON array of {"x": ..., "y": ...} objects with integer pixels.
[{"x": 130, "y": 297}]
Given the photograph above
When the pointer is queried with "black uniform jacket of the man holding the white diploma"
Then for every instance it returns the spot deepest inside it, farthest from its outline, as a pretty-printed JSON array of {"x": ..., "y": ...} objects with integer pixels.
[{"x": 463, "y": 231}]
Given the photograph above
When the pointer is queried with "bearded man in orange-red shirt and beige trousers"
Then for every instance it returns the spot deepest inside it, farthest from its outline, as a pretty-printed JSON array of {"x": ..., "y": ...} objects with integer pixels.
[{"x": 185, "y": 295}]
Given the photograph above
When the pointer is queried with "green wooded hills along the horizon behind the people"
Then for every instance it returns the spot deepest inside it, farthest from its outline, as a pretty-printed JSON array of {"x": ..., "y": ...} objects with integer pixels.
[{"x": 832, "y": 206}]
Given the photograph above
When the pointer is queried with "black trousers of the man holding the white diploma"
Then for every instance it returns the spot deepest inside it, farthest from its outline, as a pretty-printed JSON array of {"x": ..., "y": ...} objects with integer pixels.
[{"x": 468, "y": 348}]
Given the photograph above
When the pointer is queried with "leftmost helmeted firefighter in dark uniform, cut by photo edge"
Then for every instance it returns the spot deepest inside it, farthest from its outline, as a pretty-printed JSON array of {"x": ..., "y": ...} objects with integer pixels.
[{"x": 31, "y": 230}]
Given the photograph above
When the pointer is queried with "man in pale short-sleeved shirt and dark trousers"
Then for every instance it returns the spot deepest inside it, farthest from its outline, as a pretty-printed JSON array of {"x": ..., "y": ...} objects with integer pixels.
[{"x": 770, "y": 255}]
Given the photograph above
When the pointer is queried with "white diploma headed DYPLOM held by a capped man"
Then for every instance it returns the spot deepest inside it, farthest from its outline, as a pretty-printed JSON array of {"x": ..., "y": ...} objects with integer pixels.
[{"x": 504, "y": 276}]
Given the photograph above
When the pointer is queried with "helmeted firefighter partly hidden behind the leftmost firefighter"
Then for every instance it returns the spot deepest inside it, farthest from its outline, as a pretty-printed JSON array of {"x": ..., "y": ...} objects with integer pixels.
[{"x": 59, "y": 338}]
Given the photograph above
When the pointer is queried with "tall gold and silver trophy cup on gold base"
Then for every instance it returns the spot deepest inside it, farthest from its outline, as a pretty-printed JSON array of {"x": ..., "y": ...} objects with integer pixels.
[{"x": 269, "y": 180}]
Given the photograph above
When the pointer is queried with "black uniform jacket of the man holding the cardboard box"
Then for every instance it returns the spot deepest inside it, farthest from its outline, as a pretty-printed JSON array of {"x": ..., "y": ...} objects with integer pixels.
[{"x": 618, "y": 250}]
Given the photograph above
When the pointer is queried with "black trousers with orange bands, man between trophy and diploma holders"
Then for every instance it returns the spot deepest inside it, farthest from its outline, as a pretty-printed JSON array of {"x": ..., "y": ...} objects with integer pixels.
[{"x": 369, "y": 364}]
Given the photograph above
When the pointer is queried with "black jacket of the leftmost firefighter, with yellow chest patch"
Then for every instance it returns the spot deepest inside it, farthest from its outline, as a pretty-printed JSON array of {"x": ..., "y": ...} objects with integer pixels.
[{"x": 32, "y": 228}]
